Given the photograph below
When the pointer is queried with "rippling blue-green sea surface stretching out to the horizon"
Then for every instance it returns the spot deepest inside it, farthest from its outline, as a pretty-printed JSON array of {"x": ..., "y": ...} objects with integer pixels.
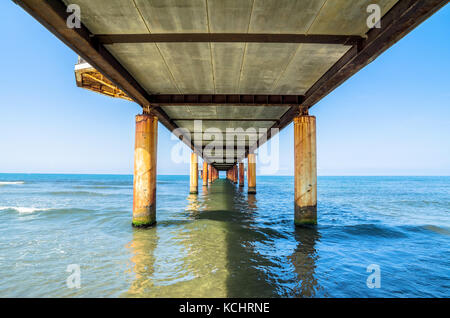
[{"x": 223, "y": 242}]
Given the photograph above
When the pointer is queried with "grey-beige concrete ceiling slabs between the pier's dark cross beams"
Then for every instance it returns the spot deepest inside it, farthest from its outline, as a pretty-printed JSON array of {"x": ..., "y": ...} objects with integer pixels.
[{"x": 227, "y": 68}]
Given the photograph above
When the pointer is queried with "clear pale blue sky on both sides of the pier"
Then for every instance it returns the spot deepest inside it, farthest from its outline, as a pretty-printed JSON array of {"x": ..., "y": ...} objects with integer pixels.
[{"x": 392, "y": 118}]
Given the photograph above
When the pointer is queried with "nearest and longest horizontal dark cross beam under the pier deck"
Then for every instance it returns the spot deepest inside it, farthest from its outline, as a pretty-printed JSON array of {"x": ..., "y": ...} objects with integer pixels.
[{"x": 228, "y": 38}]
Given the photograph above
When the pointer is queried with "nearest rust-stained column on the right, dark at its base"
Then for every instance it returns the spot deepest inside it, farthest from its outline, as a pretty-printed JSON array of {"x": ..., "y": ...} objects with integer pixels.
[{"x": 305, "y": 173}]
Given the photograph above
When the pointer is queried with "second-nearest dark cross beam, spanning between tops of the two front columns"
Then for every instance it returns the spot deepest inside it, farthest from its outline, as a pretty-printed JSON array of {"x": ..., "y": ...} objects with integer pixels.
[{"x": 233, "y": 100}]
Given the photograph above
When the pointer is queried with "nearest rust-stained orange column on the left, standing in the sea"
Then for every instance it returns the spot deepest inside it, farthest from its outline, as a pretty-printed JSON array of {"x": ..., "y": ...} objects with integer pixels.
[{"x": 144, "y": 183}]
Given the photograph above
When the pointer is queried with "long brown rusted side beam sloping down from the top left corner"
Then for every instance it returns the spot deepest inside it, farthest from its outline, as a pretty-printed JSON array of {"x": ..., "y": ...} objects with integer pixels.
[{"x": 52, "y": 15}]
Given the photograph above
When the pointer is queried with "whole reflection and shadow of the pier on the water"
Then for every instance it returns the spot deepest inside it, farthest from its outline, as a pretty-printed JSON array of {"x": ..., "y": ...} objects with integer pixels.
[{"x": 220, "y": 245}]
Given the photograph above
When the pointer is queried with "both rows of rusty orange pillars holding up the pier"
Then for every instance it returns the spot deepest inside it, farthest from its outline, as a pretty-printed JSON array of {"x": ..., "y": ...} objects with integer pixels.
[{"x": 305, "y": 172}]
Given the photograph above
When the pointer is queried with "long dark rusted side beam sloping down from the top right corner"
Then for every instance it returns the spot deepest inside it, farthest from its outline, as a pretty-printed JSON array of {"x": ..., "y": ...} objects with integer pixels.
[{"x": 395, "y": 24}]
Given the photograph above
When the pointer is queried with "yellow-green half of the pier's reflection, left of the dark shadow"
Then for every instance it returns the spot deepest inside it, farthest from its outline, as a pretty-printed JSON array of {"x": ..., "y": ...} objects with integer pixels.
[{"x": 188, "y": 256}]
